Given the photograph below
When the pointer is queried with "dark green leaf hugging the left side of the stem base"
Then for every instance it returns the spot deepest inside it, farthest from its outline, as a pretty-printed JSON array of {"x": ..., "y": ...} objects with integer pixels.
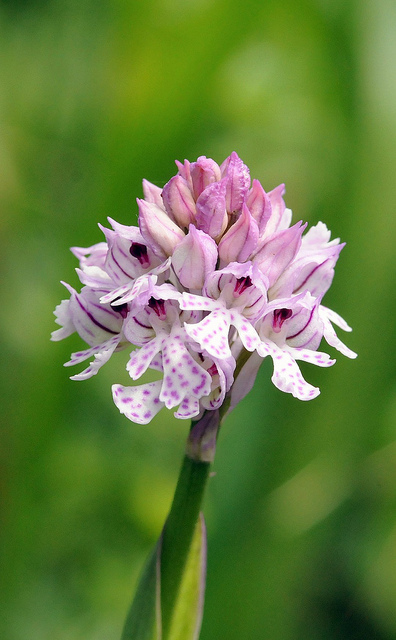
[{"x": 144, "y": 617}]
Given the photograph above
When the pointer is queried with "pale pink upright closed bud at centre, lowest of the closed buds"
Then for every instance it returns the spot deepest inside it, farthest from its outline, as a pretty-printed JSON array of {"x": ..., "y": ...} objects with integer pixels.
[{"x": 194, "y": 257}]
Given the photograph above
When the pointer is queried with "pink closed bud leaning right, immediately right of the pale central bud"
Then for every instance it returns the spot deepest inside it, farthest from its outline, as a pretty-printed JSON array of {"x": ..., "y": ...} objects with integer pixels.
[{"x": 240, "y": 240}]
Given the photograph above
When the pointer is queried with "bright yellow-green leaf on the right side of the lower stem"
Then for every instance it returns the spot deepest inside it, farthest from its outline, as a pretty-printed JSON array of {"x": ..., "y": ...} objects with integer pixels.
[{"x": 188, "y": 610}]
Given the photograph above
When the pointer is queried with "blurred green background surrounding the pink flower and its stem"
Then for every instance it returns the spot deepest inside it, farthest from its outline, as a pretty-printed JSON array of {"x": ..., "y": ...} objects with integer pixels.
[{"x": 301, "y": 513}]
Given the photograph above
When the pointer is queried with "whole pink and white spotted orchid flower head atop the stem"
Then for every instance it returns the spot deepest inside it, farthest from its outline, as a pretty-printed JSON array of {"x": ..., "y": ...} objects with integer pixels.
[{"x": 213, "y": 280}]
